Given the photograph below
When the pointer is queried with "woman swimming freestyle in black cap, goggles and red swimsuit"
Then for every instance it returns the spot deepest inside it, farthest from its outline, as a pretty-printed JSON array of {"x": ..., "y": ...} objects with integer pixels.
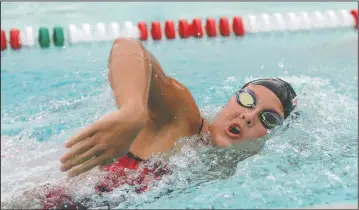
[{"x": 155, "y": 110}]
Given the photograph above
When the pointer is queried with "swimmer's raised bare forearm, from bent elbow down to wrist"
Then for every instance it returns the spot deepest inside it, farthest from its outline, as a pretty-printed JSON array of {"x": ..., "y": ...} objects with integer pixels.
[{"x": 130, "y": 74}]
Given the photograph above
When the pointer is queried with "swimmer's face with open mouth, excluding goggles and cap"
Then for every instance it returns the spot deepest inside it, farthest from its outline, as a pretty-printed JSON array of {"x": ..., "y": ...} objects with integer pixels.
[{"x": 247, "y": 120}]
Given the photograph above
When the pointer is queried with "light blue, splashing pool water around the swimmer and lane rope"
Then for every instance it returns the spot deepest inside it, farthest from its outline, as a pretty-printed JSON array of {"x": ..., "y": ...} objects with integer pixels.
[{"x": 48, "y": 95}]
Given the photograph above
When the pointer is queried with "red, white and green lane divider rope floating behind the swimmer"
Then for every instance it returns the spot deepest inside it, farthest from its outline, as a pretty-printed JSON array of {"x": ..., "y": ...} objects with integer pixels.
[{"x": 238, "y": 25}]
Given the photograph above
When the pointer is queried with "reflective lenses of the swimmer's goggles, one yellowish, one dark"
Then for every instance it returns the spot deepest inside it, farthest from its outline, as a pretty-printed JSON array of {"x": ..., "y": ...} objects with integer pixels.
[{"x": 268, "y": 118}]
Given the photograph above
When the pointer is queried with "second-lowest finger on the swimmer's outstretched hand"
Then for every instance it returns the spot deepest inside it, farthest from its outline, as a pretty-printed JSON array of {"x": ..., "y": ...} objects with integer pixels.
[{"x": 80, "y": 159}]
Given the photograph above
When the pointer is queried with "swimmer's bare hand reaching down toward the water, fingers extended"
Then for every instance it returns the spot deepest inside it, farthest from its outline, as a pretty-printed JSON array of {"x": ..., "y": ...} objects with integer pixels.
[{"x": 111, "y": 135}]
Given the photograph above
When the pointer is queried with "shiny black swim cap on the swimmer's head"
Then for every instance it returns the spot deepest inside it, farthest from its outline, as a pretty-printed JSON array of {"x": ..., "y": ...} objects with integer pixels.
[{"x": 282, "y": 89}]
